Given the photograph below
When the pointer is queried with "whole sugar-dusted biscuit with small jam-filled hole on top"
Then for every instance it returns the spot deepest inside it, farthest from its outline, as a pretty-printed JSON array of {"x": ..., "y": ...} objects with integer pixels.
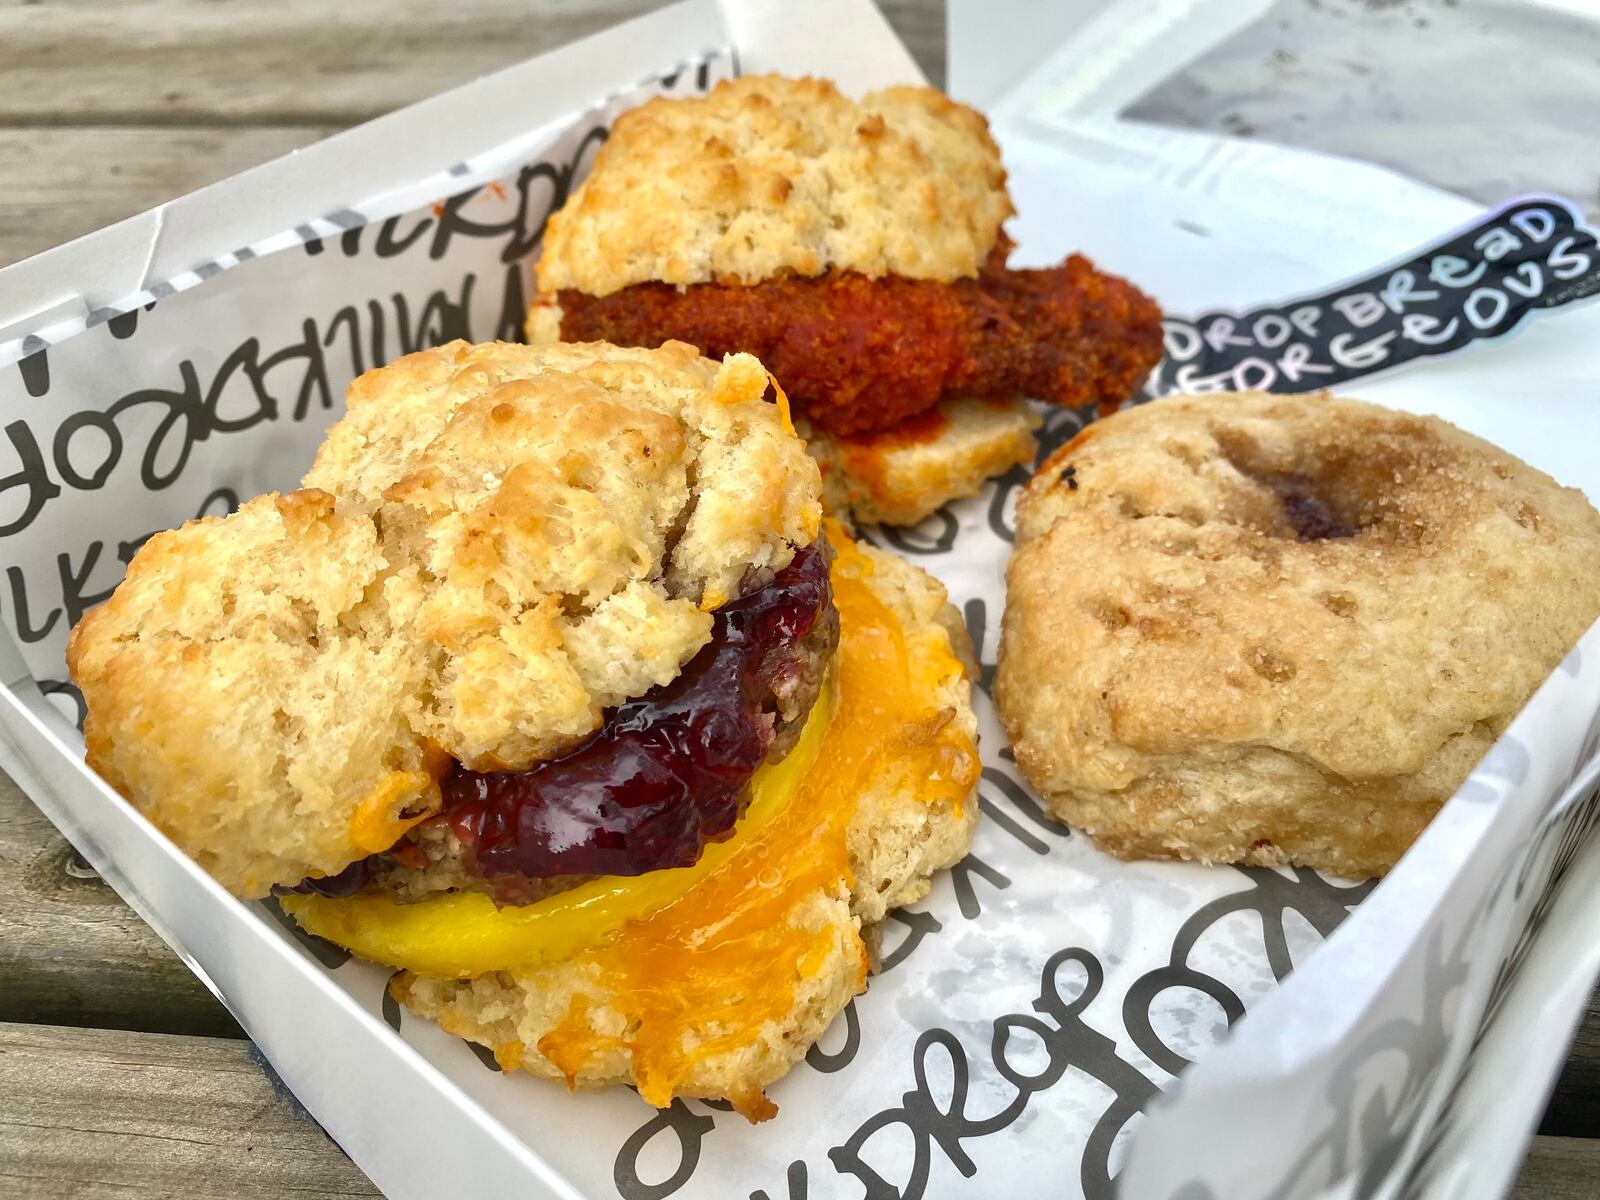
[{"x": 1281, "y": 630}]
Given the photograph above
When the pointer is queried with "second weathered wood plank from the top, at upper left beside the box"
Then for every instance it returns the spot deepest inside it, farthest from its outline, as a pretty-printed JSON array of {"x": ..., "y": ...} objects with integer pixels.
[{"x": 66, "y": 183}]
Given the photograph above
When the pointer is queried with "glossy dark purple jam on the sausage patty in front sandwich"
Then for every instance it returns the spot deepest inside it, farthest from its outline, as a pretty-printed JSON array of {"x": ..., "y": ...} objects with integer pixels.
[{"x": 668, "y": 772}]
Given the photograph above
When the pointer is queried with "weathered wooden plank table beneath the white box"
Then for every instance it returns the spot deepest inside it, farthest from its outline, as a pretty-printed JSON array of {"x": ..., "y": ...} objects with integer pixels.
[{"x": 119, "y": 1073}]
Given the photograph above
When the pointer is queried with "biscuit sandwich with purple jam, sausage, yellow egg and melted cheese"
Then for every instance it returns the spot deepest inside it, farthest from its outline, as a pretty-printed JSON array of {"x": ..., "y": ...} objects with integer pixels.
[{"x": 553, "y": 690}]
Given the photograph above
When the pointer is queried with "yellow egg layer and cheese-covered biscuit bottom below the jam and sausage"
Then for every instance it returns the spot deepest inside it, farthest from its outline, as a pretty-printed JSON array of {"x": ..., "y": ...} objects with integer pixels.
[{"x": 714, "y": 980}]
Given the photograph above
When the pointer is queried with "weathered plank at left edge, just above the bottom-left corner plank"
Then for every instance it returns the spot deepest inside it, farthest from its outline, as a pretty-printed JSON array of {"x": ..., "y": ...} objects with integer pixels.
[{"x": 73, "y": 953}]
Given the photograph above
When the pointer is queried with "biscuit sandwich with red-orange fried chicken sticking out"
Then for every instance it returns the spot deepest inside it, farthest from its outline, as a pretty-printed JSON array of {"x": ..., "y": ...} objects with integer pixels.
[{"x": 858, "y": 249}]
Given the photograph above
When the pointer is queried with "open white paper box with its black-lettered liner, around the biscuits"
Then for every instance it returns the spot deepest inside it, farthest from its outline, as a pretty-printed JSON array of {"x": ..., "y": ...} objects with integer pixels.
[{"x": 1046, "y": 993}]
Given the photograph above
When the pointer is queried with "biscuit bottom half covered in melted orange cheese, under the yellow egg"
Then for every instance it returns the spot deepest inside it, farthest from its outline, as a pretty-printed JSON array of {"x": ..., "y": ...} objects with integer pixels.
[{"x": 678, "y": 1014}]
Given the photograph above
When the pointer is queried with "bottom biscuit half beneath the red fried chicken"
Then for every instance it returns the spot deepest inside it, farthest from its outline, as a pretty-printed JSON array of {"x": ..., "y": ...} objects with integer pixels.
[{"x": 902, "y": 474}]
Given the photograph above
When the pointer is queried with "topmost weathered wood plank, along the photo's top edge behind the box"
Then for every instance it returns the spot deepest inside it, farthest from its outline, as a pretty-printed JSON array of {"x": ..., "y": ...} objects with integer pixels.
[{"x": 297, "y": 62}]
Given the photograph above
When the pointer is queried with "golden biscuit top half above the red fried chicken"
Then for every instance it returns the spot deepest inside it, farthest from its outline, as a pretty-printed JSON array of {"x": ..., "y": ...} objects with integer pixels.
[{"x": 767, "y": 177}]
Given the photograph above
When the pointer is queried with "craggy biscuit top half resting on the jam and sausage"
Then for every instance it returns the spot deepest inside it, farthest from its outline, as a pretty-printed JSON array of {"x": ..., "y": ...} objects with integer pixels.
[{"x": 494, "y": 546}]
